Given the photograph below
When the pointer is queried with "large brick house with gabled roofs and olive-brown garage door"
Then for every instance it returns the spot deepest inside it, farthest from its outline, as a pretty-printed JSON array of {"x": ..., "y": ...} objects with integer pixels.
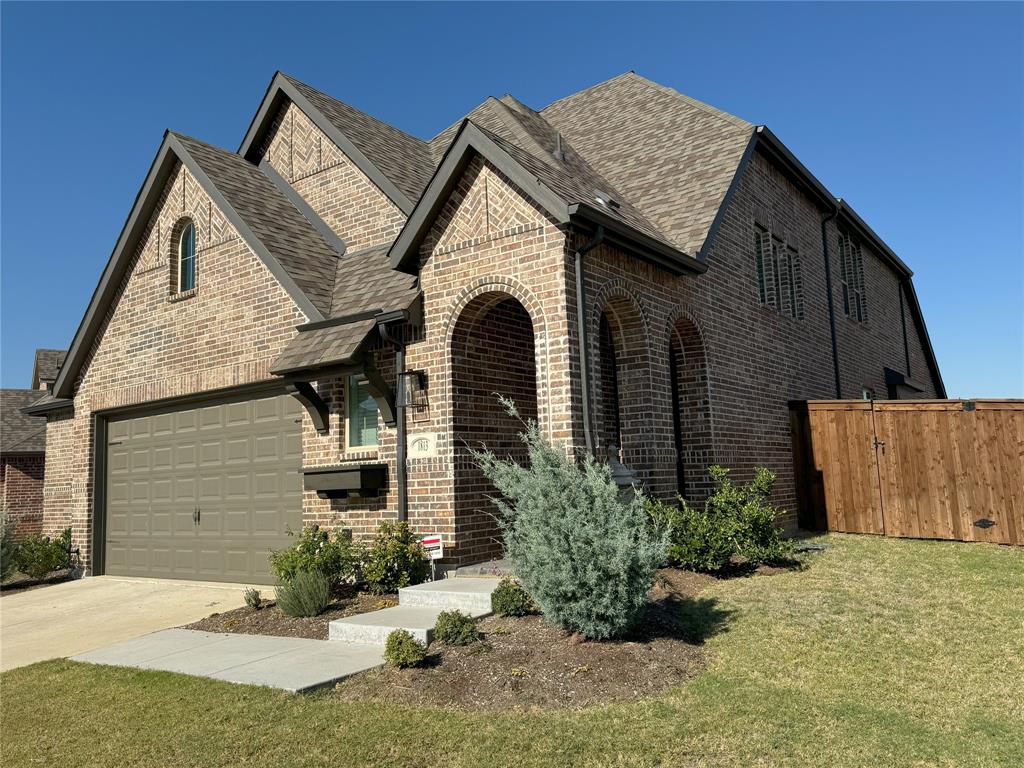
[{"x": 313, "y": 329}]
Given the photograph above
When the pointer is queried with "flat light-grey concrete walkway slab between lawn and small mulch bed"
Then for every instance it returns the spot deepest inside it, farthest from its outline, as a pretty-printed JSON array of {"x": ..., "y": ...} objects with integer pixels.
[{"x": 291, "y": 664}]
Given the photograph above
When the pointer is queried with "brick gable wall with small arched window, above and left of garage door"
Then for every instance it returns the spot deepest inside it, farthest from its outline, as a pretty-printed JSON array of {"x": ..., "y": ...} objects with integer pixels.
[{"x": 155, "y": 346}]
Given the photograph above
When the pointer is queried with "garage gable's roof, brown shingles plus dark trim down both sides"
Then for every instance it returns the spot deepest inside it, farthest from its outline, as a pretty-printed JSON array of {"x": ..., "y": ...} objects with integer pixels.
[{"x": 290, "y": 247}]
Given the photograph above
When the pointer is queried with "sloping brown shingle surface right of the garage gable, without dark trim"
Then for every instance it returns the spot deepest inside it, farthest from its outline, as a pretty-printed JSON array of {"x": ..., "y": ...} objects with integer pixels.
[{"x": 289, "y": 237}]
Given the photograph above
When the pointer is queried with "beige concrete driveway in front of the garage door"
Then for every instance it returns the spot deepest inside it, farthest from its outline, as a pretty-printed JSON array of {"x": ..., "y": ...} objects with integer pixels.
[{"x": 75, "y": 617}]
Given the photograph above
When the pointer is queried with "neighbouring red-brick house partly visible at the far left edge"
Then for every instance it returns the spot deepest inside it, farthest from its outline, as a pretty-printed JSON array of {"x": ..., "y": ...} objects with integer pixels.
[{"x": 23, "y": 446}]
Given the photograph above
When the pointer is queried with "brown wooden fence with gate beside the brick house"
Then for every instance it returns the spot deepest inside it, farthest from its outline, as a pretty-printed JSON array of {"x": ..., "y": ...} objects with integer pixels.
[{"x": 927, "y": 470}]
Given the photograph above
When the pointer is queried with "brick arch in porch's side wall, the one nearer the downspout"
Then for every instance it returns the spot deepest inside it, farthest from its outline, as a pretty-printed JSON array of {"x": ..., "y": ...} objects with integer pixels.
[{"x": 622, "y": 374}]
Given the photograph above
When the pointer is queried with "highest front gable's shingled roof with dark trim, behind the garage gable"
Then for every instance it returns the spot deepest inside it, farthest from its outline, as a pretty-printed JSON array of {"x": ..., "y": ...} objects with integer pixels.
[{"x": 398, "y": 163}]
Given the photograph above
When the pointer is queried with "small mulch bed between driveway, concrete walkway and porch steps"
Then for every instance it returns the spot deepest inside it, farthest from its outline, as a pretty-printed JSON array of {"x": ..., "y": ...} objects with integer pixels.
[{"x": 271, "y": 621}]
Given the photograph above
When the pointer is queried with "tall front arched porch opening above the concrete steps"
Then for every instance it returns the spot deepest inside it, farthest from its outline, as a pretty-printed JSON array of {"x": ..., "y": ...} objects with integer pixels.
[{"x": 492, "y": 355}]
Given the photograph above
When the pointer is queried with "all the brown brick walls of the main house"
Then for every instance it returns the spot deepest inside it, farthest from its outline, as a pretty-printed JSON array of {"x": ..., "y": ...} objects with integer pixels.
[{"x": 499, "y": 310}]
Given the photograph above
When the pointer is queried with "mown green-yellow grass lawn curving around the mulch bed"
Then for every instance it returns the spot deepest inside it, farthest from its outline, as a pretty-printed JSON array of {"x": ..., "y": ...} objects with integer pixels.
[{"x": 884, "y": 653}]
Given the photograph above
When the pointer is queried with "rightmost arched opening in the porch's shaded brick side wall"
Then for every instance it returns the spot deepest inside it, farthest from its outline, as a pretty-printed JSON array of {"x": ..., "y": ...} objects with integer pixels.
[{"x": 691, "y": 410}]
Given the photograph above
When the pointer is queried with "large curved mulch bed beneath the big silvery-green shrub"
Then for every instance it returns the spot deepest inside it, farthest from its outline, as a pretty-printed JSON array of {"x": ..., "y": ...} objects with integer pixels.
[{"x": 526, "y": 664}]
